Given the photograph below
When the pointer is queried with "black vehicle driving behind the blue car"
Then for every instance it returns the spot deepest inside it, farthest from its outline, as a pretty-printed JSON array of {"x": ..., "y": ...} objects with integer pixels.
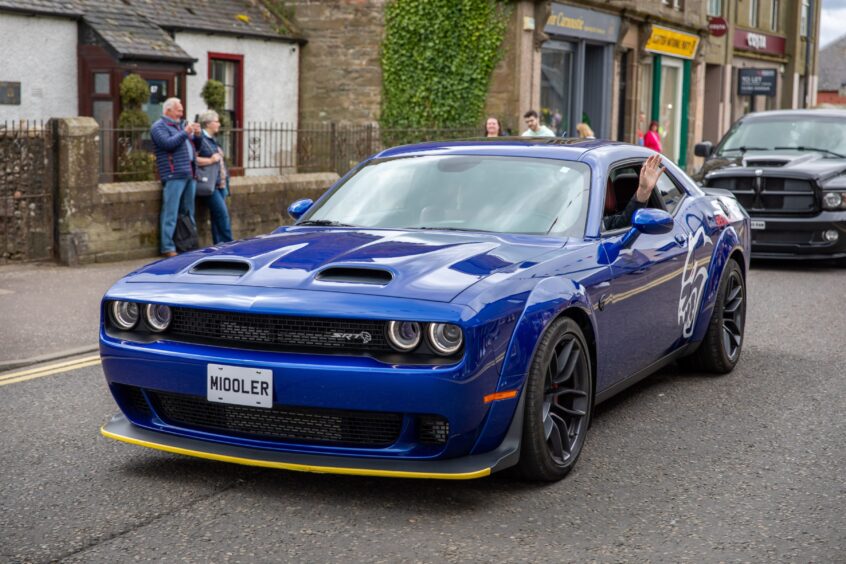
[{"x": 788, "y": 169}]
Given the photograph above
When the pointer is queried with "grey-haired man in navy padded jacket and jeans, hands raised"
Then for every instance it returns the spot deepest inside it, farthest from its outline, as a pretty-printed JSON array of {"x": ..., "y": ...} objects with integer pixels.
[{"x": 176, "y": 162}]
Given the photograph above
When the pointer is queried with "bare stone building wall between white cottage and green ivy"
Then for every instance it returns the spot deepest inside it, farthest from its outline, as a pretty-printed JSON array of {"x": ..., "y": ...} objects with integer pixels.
[{"x": 342, "y": 76}]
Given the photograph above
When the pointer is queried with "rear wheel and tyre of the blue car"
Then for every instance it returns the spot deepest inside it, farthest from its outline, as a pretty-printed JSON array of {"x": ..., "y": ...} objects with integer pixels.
[{"x": 721, "y": 347}]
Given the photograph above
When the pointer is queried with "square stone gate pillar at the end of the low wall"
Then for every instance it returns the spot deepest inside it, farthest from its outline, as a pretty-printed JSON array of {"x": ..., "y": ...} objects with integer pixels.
[{"x": 77, "y": 172}]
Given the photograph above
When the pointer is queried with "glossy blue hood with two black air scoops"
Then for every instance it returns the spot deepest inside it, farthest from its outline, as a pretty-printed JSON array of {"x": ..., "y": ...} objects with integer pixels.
[{"x": 430, "y": 265}]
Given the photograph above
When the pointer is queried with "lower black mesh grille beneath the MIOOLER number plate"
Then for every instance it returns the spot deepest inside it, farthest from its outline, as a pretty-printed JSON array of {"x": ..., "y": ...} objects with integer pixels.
[{"x": 290, "y": 424}]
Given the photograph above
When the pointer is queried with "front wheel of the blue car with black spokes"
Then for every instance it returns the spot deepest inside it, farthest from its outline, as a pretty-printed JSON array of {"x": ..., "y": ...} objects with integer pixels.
[{"x": 559, "y": 403}]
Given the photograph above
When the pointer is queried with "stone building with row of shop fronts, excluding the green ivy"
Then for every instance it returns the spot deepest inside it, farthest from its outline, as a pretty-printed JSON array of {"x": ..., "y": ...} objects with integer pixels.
[{"x": 617, "y": 64}]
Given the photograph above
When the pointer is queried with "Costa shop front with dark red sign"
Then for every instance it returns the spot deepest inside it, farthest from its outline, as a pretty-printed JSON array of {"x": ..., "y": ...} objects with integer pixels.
[{"x": 758, "y": 63}]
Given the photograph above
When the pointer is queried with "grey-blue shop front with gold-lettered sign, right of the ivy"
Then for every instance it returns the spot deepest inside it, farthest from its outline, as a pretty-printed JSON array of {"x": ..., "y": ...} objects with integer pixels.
[{"x": 576, "y": 70}]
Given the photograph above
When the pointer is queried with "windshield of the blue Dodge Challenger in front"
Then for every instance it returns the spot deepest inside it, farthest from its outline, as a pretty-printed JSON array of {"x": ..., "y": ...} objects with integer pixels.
[{"x": 459, "y": 192}]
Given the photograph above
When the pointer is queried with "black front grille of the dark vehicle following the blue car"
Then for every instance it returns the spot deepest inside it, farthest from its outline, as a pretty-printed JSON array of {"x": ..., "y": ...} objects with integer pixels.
[{"x": 768, "y": 195}]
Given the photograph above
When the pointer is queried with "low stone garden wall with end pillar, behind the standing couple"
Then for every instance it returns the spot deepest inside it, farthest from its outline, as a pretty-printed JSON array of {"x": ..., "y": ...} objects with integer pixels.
[{"x": 107, "y": 222}]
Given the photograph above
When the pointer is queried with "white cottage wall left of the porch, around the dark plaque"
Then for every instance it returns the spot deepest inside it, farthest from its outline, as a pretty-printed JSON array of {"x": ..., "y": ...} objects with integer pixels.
[{"x": 40, "y": 53}]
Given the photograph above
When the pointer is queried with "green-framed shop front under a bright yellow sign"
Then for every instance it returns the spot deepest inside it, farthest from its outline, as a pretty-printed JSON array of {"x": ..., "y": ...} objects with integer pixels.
[{"x": 665, "y": 87}]
